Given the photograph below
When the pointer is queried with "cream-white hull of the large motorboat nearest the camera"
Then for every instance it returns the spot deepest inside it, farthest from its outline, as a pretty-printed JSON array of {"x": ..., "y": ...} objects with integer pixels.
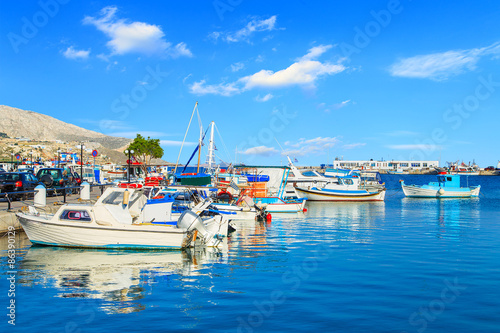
[{"x": 46, "y": 232}]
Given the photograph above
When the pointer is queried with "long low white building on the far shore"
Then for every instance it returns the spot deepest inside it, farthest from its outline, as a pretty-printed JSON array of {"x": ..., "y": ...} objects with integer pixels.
[{"x": 385, "y": 165}]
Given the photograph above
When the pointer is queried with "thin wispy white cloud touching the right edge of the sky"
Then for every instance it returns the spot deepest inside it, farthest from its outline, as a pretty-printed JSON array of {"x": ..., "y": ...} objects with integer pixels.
[{"x": 440, "y": 66}]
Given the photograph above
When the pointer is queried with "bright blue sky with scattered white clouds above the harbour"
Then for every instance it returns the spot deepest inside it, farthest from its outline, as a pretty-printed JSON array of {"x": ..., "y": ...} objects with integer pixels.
[{"x": 359, "y": 80}]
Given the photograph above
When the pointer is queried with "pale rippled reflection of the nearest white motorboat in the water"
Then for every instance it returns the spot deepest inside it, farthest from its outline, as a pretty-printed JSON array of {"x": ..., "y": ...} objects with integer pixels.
[{"x": 117, "y": 280}]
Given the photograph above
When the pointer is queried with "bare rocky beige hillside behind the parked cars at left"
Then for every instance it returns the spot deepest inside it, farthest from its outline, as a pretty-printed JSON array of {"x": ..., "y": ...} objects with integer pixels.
[{"x": 20, "y": 123}]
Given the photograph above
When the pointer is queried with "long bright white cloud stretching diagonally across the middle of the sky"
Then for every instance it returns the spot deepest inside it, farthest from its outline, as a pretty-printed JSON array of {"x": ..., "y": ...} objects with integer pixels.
[{"x": 305, "y": 72}]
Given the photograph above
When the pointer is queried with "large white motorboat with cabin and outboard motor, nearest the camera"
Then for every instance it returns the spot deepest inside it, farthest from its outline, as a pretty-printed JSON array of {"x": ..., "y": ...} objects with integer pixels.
[{"x": 119, "y": 219}]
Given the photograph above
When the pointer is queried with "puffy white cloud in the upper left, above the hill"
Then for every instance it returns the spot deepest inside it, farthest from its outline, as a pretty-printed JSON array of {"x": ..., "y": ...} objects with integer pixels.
[{"x": 134, "y": 37}]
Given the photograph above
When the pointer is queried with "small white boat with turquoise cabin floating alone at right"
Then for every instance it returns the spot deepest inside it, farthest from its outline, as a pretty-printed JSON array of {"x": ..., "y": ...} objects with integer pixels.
[{"x": 447, "y": 186}]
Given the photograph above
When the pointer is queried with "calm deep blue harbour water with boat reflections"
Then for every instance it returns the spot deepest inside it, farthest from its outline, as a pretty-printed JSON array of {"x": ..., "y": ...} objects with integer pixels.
[{"x": 403, "y": 265}]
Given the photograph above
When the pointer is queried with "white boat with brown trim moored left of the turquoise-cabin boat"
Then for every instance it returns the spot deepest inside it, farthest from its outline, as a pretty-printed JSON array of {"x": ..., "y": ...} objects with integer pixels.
[{"x": 346, "y": 188}]
